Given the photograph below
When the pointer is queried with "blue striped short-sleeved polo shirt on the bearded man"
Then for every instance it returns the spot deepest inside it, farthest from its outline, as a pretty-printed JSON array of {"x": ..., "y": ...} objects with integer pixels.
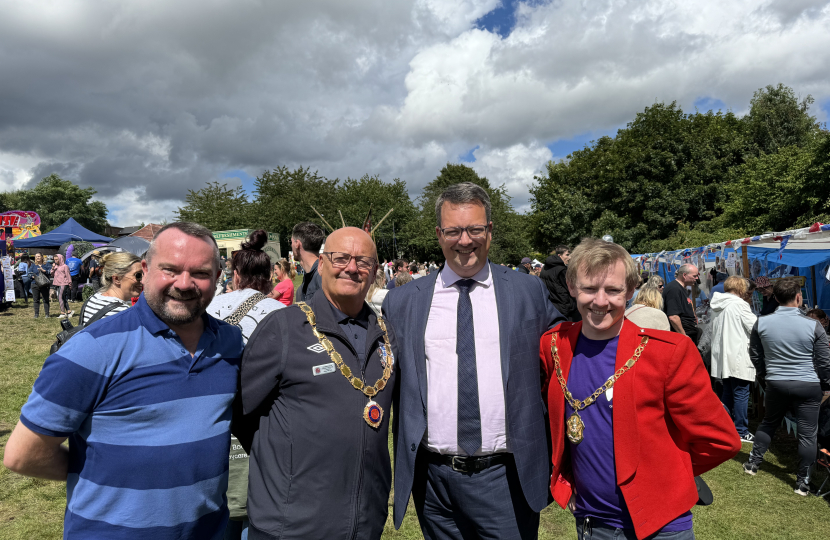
[{"x": 148, "y": 426}]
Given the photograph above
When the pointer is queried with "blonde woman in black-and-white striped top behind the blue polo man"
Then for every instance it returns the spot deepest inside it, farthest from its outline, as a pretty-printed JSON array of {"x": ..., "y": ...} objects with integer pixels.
[{"x": 121, "y": 277}]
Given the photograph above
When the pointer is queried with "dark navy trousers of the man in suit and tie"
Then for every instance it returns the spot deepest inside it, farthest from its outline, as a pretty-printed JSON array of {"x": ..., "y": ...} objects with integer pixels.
[{"x": 487, "y": 504}]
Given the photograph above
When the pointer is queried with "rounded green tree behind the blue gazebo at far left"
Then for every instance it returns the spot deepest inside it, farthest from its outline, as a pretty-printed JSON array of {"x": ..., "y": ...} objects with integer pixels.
[{"x": 57, "y": 200}]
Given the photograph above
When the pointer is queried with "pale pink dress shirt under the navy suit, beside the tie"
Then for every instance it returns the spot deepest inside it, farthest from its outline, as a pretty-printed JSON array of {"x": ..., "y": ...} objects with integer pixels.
[{"x": 442, "y": 366}]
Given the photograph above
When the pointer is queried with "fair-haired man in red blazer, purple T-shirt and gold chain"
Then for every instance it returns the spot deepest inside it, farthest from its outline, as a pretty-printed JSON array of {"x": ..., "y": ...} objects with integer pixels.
[{"x": 640, "y": 420}]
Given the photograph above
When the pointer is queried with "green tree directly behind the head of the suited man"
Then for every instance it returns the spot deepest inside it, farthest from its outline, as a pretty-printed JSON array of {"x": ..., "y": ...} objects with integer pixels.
[{"x": 510, "y": 241}]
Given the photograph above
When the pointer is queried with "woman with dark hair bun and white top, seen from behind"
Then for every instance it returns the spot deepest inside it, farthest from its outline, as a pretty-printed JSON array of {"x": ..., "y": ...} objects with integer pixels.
[{"x": 245, "y": 307}]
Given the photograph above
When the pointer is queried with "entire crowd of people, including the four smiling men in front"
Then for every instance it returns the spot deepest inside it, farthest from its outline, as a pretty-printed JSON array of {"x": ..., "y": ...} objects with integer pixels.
[{"x": 212, "y": 402}]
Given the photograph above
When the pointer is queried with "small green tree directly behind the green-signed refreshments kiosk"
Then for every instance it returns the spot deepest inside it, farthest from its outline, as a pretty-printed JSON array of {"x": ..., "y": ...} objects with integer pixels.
[{"x": 217, "y": 207}]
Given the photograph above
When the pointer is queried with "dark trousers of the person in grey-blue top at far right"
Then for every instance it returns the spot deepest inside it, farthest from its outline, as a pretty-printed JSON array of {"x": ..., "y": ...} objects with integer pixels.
[{"x": 805, "y": 397}]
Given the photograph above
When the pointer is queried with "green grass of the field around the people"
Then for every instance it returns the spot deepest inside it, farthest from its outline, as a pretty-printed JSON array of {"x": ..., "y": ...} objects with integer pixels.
[{"x": 745, "y": 507}]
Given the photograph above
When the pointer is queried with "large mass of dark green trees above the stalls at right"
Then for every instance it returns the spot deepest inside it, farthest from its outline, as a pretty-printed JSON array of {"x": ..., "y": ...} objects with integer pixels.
[{"x": 670, "y": 179}]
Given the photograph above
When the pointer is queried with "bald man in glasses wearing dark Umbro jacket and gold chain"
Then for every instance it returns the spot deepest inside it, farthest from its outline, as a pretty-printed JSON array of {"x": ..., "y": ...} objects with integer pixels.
[{"x": 317, "y": 468}]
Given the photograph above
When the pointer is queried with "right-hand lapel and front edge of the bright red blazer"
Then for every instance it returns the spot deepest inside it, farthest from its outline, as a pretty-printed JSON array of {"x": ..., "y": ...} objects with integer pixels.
[{"x": 626, "y": 435}]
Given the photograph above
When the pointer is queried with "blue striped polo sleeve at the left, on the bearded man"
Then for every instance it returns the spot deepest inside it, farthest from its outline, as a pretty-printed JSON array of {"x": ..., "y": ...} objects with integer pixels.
[{"x": 70, "y": 384}]
